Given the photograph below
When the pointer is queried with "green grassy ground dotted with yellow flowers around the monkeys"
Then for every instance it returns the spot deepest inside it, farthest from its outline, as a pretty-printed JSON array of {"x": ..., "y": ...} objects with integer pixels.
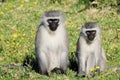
[{"x": 19, "y": 20}]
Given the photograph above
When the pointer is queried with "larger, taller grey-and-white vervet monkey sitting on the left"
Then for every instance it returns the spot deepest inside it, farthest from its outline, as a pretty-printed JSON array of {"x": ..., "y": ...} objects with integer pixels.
[{"x": 51, "y": 43}]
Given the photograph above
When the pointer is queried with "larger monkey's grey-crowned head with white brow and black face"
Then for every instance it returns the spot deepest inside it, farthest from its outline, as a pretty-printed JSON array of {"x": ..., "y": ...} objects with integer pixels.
[{"x": 53, "y": 19}]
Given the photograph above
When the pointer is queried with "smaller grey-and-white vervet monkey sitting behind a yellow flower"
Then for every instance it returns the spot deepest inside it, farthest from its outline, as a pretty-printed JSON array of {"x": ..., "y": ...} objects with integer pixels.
[{"x": 89, "y": 52}]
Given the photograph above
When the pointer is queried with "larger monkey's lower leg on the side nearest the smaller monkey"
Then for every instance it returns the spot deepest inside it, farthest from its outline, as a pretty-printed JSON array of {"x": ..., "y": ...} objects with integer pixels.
[{"x": 64, "y": 62}]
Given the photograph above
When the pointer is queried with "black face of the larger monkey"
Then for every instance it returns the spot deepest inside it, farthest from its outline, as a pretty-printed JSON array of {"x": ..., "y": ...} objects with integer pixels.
[{"x": 53, "y": 24}]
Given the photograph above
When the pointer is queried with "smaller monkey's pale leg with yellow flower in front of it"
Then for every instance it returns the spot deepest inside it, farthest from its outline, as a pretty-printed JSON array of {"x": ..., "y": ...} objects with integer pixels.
[{"x": 90, "y": 65}]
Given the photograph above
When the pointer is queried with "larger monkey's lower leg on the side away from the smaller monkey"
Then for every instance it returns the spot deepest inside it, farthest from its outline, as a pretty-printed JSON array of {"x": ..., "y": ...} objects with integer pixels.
[{"x": 43, "y": 63}]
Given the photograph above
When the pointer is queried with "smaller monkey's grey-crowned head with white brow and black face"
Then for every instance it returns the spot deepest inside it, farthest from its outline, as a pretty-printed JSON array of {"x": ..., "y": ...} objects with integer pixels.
[{"x": 91, "y": 30}]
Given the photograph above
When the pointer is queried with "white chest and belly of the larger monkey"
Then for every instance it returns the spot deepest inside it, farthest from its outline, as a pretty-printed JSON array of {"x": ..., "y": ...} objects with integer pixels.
[{"x": 53, "y": 46}]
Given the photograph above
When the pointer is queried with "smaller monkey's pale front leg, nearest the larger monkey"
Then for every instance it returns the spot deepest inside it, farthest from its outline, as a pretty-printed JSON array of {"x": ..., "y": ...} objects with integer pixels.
[{"x": 81, "y": 66}]
